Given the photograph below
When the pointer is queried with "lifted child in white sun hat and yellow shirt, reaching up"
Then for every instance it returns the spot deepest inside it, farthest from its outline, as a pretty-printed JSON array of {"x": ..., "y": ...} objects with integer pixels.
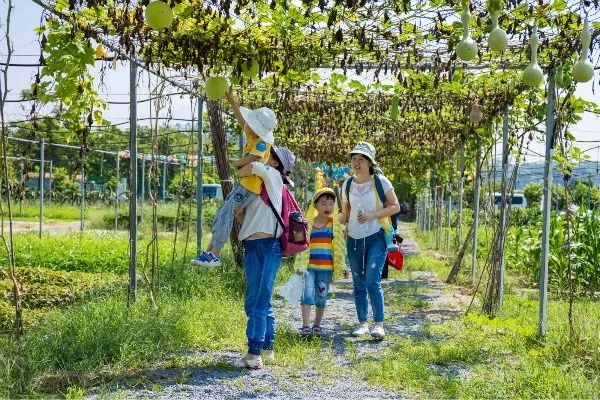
[{"x": 258, "y": 126}]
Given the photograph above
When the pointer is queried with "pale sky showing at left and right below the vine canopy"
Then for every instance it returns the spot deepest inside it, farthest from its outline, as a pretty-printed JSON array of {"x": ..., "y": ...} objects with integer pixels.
[{"x": 115, "y": 85}]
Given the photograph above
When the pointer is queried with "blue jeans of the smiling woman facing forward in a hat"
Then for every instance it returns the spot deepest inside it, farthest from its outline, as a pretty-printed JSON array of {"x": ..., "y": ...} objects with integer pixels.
[{"x": 367, "y": 257}]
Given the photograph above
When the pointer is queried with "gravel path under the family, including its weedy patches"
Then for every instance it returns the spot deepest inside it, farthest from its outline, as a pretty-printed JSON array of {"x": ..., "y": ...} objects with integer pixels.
[{"x": 331, "y": 367}]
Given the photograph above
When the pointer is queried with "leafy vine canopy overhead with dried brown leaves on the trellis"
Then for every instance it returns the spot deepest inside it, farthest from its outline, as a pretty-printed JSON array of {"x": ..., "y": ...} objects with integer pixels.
[{"x": 407, "y": 48}]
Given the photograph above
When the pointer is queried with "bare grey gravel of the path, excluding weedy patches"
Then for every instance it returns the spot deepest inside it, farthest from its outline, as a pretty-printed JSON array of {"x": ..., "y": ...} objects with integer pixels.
[{"x": 219, "y": 381}]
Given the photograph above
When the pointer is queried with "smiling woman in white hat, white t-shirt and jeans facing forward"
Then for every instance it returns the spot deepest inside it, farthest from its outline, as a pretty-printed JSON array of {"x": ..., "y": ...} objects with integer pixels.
[{"x": 366, "y": 215}]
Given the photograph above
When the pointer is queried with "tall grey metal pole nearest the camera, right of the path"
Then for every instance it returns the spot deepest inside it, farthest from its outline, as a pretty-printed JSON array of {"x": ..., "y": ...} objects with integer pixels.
[{"x": 547, "y": 204}]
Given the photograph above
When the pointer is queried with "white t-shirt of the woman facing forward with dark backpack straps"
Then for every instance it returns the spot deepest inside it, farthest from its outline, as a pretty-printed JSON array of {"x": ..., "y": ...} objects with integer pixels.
[{"x": 362, "y": 198}]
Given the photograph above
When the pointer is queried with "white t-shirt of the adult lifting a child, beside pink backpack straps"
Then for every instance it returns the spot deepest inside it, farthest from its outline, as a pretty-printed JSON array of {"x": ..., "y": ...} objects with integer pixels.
[{"x": 259, "y": 216}]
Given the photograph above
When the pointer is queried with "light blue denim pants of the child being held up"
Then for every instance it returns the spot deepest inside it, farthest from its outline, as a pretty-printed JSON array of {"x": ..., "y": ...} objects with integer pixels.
[{"x": 240, "y": 197}]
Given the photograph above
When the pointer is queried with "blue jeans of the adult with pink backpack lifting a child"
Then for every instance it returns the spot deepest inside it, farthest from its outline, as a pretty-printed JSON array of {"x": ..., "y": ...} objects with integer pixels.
[{"x": 262, "y": 258}]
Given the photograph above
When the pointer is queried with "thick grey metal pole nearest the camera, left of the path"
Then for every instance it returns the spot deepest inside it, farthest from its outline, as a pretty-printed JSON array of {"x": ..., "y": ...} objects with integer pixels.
[{"x": 132, "y": 180}]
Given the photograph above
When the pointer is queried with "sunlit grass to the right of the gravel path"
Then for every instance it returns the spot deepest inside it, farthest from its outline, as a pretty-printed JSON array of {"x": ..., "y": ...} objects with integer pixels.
[{"x": 478, "y": 357}]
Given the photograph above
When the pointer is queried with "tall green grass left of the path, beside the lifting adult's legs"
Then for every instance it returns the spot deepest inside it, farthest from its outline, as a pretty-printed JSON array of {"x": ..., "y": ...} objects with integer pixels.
[{"x": 95, "y": 341}]
